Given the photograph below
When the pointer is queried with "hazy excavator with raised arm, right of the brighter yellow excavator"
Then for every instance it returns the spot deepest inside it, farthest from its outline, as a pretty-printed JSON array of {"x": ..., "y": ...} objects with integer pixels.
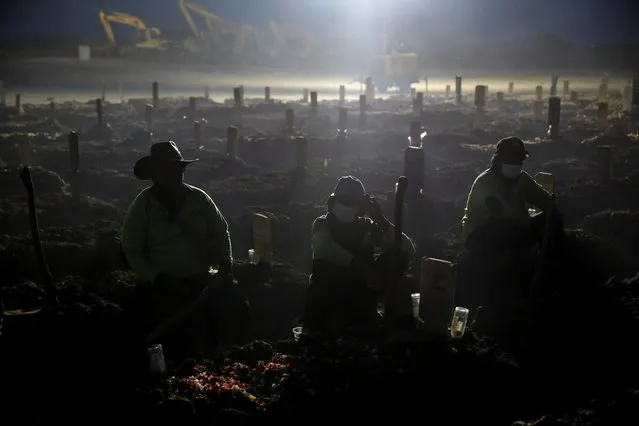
[{"x": 221, "y": 37}]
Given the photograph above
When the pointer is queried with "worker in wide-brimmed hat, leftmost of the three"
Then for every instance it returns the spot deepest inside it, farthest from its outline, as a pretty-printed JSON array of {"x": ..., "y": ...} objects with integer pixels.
[{"x": 172, "y": 236}]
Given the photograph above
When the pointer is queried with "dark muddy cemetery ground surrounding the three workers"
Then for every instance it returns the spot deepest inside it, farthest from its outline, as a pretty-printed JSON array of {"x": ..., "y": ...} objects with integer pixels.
[{"x": 568, "y": 360}]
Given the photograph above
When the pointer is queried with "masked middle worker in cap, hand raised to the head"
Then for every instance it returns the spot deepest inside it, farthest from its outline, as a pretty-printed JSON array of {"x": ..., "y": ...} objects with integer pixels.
[{"x": 346, "y": 279}]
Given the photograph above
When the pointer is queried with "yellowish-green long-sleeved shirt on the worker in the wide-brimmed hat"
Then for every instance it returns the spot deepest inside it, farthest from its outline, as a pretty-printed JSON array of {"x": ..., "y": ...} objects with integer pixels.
[{"x": 190, "y": 245}]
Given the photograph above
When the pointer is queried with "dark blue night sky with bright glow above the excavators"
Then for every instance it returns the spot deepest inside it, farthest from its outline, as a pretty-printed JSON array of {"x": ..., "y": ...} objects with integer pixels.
[{"x": 578, "y": 21}]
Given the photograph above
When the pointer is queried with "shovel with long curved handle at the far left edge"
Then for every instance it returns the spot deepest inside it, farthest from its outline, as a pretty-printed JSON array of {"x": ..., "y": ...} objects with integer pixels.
[{"x": 50, "y": 299}]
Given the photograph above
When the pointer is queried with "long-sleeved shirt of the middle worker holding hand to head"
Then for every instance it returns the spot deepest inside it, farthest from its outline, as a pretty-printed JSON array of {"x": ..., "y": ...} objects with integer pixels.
[{"x": 325, "y": 248}]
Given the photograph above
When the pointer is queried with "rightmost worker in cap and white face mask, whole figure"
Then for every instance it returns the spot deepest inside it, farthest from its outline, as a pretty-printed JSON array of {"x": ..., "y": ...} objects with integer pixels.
[{"x": 502, "y": 237}]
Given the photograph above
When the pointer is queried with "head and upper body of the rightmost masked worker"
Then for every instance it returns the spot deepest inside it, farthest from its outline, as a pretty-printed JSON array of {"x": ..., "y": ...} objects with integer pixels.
[{"x": 496, "y": 222}]
